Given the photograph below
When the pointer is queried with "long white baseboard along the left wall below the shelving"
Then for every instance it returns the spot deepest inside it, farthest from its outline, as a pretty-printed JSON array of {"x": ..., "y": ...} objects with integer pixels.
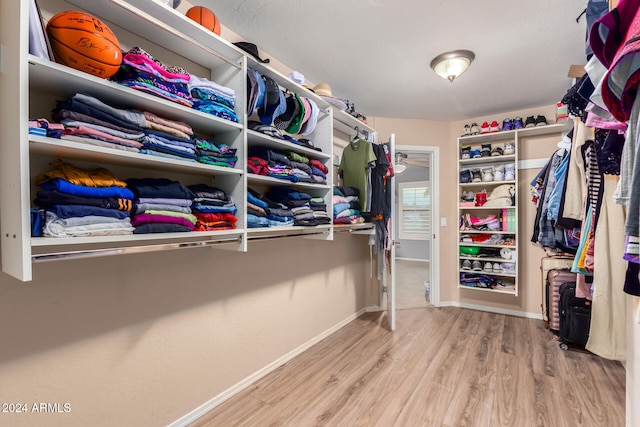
[{"x": 237, "y": 388}]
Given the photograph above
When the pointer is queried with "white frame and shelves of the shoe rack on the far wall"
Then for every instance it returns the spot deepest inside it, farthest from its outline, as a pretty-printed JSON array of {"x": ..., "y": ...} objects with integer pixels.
[{"x": 483, "y": 253}]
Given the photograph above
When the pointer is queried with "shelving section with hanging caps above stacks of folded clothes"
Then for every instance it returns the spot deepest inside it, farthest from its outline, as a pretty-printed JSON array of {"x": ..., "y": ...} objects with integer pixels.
[{"x": 294, "y": 126}]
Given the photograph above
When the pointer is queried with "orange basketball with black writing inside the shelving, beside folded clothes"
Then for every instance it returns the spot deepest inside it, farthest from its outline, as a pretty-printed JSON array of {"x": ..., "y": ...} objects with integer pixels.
[{"x": 84, "y": 42}]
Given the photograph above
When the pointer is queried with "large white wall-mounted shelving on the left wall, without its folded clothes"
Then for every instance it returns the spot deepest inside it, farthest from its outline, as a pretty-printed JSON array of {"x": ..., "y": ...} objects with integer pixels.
[{"x": 35, "y": 85}]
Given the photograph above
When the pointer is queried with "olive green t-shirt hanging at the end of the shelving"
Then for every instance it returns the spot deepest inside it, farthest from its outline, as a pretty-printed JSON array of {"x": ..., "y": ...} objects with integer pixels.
[{"x": 357, "y": 158}]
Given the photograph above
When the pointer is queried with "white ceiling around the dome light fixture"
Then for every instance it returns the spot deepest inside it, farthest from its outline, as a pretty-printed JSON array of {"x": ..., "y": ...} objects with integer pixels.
[{"x": 376, "y": 53}]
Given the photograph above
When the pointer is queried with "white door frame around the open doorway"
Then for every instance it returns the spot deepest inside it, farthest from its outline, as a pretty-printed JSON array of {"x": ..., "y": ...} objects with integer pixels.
[{"x": 434, "y": 270}]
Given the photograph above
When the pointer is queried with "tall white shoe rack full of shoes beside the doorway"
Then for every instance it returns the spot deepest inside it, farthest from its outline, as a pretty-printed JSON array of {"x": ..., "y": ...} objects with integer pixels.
[{"x": 488, "y": 201}]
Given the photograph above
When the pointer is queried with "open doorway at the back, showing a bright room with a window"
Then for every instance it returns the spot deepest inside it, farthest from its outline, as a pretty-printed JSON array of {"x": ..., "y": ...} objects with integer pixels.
[{"x": 416, "y": 227}]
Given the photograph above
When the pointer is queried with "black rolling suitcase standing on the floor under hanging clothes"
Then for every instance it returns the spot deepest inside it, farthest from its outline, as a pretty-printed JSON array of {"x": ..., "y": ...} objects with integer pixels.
[{"x": 575, "y": 317}]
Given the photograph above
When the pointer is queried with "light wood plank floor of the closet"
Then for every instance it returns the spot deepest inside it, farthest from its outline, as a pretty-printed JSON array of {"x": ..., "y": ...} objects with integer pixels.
[{"x": 442, "y": 367}]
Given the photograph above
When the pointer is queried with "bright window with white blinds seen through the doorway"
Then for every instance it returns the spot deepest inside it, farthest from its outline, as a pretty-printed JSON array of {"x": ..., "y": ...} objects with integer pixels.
[{"x": 414, "y": 210}]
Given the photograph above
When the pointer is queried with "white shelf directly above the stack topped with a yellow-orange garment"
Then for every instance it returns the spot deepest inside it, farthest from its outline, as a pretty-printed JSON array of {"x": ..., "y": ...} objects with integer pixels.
[{"x": 102, "y": 155}]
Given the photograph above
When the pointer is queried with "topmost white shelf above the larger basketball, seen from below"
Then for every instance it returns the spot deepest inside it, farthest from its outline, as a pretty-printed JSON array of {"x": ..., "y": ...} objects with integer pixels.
[{"x": 166, "y": 27}]
